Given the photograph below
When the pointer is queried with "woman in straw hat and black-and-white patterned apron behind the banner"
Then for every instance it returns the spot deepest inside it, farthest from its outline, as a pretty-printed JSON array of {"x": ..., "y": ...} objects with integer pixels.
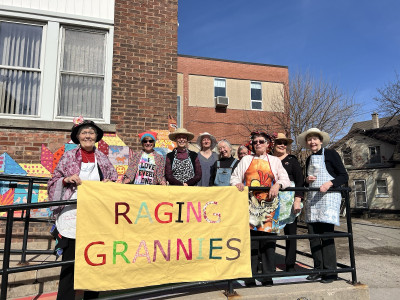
[{"x": 182, "y": 166}]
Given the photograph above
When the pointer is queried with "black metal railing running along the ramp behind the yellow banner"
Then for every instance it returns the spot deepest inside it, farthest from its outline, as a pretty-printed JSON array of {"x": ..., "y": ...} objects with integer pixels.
[{"x": 10, "y": 209}]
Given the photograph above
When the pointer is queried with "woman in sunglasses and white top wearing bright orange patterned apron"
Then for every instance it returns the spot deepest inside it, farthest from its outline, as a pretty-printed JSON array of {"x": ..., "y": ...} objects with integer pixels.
[{"x": 262, "y": 170}]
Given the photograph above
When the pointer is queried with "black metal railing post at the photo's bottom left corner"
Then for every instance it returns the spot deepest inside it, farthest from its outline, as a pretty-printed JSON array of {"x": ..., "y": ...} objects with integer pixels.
[{"x": 7, "y": 253}]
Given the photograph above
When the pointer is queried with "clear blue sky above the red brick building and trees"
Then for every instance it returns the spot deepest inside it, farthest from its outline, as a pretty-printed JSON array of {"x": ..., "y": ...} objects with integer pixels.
[{"x": 353, "y": 43}]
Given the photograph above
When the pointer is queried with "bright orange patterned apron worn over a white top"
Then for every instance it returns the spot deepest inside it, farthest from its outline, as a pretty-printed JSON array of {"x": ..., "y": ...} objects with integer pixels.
[{"x": 264, "y": 212}]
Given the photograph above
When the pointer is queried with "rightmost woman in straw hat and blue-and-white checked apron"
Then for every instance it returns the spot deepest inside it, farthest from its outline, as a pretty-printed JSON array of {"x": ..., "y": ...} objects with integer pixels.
[{"x": 324, "y": 169}]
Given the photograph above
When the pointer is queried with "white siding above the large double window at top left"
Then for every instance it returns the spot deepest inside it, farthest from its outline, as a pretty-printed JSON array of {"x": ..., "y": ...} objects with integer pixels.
[{"x": 80, "y": 9}]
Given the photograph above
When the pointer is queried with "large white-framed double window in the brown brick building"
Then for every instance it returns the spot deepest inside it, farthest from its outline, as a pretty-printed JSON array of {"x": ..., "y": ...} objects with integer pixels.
[{"x": 55, "y": 71}]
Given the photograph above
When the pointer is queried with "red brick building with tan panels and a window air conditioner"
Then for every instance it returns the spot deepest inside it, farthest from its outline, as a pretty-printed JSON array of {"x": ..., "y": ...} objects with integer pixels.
[{"x": 230, "y": 98}]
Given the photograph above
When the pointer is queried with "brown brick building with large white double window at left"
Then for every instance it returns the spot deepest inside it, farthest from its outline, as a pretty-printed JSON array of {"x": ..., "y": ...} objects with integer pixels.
[{"x": 114, "y": 61}]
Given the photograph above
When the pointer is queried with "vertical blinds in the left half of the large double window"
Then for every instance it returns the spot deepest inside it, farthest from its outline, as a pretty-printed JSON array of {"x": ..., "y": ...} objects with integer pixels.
[{"x": 20, "y": 50}]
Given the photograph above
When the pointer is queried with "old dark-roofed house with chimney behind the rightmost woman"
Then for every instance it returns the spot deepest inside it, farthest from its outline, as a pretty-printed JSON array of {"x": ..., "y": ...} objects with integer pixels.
[{"x": 371, "y": 155}]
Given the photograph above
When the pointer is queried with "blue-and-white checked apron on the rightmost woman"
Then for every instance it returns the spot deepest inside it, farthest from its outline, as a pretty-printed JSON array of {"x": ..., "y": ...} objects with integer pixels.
[{"x": 321, "y": 207}]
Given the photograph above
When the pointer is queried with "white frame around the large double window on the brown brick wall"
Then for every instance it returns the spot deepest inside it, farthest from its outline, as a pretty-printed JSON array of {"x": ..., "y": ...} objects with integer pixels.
[{"x": 50, "y": 67}]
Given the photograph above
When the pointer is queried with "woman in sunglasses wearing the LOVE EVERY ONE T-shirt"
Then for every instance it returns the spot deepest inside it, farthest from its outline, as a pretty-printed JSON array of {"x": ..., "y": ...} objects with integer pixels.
[{"x": 146, "y": 166}]
